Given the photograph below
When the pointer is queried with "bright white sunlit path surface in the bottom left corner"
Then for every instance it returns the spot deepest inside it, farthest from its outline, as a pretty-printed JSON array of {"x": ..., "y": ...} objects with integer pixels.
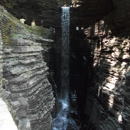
[{"x": 6, "y": 120}]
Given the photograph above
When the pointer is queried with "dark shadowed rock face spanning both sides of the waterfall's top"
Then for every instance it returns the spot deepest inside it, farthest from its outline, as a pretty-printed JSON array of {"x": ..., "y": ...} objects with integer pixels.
[{"x": 83, "y": 13}]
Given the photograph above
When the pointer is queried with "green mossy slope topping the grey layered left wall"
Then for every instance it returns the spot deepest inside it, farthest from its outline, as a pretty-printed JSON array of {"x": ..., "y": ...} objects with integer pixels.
[{"x": 11, "y": 26}]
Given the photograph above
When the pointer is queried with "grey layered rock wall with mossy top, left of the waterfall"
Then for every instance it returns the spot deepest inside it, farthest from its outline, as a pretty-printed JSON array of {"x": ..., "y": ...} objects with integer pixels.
[{"x": 26, "y": 87}]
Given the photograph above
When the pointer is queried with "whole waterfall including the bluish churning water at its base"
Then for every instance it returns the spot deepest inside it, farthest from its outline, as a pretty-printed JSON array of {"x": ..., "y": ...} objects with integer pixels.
[{"x": 61, "y": 120}]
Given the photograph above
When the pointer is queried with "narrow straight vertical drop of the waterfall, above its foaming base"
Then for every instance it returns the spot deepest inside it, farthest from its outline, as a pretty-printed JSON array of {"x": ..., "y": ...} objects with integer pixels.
[{"x": 65, "y": 54}]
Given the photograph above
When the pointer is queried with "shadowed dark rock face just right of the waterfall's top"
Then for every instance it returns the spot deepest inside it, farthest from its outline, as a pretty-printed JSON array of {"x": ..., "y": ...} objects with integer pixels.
[{"x": 86, "y": 13}]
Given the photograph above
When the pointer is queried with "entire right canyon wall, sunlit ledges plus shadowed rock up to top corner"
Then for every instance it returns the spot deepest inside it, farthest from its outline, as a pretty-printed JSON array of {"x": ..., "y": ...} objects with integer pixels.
[{"x": 109, "y": 43}]
